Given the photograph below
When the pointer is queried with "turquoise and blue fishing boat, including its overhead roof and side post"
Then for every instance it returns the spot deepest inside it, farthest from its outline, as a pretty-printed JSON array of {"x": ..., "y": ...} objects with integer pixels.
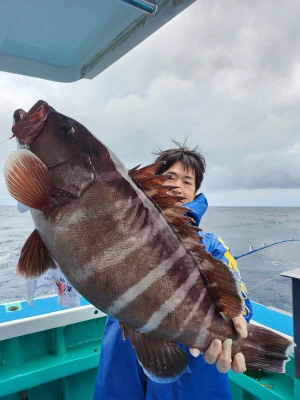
[{"x": 48, "y": 351}]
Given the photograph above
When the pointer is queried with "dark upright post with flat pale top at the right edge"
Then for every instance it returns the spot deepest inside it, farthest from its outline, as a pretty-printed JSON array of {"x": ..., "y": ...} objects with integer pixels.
[{"x": 295, "y": 275}]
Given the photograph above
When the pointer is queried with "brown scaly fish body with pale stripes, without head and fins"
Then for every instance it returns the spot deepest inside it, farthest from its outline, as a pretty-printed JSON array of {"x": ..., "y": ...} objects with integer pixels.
[{"x": 117, "y": 249}]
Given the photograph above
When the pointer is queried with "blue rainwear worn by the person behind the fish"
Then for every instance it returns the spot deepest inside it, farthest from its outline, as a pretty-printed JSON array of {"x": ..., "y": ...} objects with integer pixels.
[{"x": 120, "y": 376}]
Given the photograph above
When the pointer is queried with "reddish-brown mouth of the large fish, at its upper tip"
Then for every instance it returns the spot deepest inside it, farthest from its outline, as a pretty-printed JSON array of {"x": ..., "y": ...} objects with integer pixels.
[{"x": 29, "y": 125}]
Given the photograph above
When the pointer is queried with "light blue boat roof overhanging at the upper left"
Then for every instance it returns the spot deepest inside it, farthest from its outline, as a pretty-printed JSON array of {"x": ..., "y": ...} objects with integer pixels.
[{"x": 68, "y": 40}]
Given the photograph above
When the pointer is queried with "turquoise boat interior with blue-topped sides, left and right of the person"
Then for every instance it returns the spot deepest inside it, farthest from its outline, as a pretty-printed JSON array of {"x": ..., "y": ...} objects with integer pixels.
[{"x": 51, "y": 352}]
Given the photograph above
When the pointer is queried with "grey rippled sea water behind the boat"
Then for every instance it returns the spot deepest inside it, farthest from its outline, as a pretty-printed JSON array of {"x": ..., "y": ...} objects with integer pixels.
[{"x": 239, "y": 227}]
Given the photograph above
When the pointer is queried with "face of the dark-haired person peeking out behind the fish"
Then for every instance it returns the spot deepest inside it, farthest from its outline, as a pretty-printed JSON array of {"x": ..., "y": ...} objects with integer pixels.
[{"x": 184, "y": 179}]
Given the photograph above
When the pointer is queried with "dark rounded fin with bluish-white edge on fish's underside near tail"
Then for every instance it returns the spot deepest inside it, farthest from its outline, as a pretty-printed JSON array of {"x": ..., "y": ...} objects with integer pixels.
[{"x": 161, "y": 360}]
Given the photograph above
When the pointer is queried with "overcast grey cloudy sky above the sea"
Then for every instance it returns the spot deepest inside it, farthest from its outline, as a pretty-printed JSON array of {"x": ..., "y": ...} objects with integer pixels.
[{"x": 225, "y": 73}]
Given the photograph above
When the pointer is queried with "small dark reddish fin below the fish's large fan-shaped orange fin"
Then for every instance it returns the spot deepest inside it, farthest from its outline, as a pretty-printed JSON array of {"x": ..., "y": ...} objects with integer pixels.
[{"x": 35, "y": 258}]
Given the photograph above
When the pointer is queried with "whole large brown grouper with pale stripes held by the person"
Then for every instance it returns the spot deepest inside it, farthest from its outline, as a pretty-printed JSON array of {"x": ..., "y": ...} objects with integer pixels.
[{"x": 125, "y": 245}]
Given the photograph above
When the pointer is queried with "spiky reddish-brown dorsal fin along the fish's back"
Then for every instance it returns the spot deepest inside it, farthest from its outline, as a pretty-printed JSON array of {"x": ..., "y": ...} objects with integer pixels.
[{"x": 218, "y": 278}]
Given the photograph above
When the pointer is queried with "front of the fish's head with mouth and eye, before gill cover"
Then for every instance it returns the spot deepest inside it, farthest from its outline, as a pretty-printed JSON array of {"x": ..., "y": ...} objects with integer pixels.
[{"x": 53, "y": 137}]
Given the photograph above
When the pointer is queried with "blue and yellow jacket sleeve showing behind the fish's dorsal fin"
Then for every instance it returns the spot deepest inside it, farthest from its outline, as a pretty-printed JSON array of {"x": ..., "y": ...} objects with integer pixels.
[{"x": 218, "y": 249}]
